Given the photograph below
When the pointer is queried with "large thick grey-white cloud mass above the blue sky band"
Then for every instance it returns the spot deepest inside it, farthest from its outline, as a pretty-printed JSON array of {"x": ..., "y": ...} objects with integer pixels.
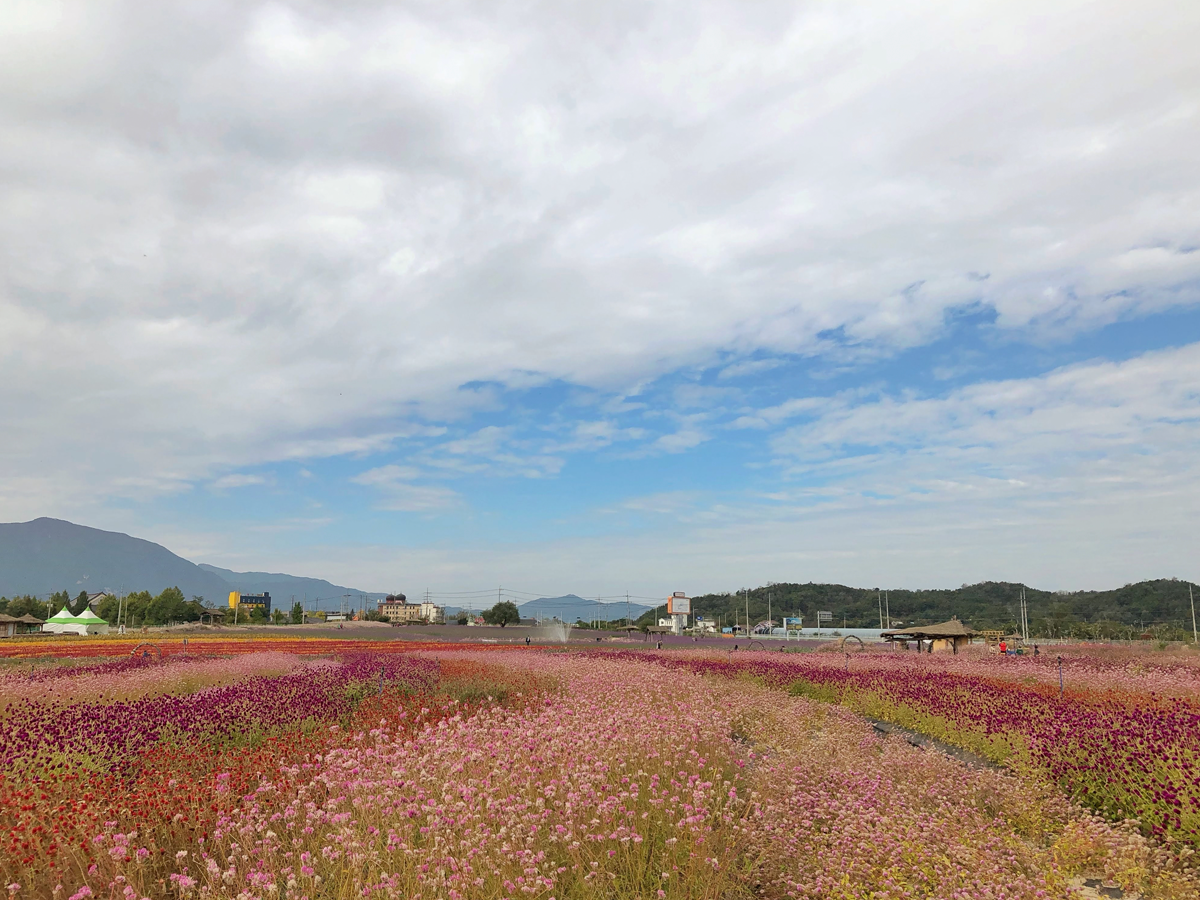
[{"x": 211, "y": 259}]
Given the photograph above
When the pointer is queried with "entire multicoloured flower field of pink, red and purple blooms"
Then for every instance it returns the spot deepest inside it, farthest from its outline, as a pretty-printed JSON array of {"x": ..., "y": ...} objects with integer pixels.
[{"x": 401, "y": 771}]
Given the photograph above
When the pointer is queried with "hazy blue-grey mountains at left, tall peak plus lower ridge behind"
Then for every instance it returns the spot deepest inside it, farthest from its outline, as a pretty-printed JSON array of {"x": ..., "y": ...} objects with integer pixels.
[{"x": 50, "y": 555}]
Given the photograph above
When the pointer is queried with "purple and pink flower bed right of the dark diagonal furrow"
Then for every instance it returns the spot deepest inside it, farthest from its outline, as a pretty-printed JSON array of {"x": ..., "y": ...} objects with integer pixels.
[{"x": 1112, "y": 742}]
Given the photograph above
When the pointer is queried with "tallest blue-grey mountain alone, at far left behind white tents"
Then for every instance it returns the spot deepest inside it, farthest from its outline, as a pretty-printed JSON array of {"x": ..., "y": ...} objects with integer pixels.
[{"x": 50, "y": 555}]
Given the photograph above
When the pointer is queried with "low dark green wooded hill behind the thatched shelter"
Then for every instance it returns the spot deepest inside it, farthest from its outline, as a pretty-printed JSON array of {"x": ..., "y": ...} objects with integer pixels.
[{"x": 991, "y": 604}]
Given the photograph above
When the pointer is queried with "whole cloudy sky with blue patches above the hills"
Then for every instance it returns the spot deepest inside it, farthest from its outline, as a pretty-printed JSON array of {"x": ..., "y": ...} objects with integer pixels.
[{"x": 605, "y": 298}]
